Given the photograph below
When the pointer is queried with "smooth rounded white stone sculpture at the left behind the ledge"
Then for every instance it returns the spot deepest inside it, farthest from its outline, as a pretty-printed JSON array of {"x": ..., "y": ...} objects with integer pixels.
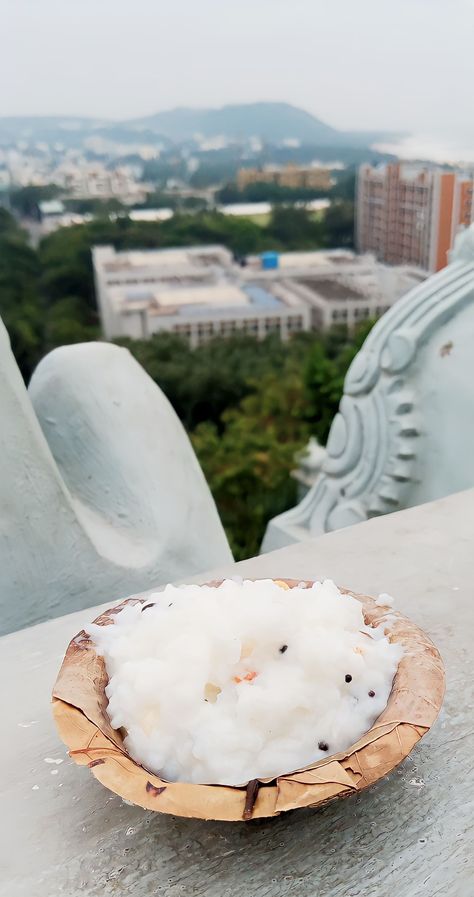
[{"x": 101, "y": 494}]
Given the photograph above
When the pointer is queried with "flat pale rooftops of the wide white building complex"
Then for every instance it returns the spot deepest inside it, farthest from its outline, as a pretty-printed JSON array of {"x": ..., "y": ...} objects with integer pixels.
[{"x": 201, "y": 282}]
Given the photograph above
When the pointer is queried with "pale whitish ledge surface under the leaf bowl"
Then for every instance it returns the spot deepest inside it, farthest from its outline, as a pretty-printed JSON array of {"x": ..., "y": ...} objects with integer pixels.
[{"x": 411, "y": 835}]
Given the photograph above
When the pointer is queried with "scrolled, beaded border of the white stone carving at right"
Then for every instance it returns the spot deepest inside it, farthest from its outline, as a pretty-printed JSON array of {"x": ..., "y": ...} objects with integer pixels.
[{"x": 378, "y": 439}]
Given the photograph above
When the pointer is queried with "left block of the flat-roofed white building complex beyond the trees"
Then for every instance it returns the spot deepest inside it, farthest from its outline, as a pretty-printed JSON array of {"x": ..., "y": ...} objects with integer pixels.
[{"x": 197, "y": 292}]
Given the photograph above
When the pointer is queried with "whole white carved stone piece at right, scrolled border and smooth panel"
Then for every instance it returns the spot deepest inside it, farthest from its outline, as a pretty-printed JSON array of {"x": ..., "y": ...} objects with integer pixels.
[{"x": 405, "y": 428}]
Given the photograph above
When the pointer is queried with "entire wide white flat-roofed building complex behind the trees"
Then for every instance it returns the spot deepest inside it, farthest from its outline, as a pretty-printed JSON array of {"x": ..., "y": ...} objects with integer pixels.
[{"x": 200, "y": 292}]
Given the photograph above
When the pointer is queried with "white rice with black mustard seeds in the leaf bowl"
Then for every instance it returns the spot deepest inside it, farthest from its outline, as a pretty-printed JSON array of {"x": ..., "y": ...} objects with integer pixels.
[{"x": 317, "y": 678}]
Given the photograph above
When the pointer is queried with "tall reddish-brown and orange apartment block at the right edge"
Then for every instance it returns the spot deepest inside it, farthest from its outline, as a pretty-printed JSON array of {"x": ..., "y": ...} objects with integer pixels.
[{"x": 408, "y": 214}]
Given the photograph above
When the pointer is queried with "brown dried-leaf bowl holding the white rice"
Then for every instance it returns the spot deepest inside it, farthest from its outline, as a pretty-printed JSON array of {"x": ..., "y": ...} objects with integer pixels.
[{"x": 80, "y": 711}]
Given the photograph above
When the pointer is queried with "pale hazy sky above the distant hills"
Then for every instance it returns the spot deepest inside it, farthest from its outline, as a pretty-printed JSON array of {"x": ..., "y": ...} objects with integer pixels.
[{"x": 401, "y": 64}]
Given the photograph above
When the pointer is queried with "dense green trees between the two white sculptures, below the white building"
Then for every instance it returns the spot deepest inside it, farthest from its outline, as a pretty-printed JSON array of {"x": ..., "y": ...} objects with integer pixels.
[{"x": 249, "y": 407}]
